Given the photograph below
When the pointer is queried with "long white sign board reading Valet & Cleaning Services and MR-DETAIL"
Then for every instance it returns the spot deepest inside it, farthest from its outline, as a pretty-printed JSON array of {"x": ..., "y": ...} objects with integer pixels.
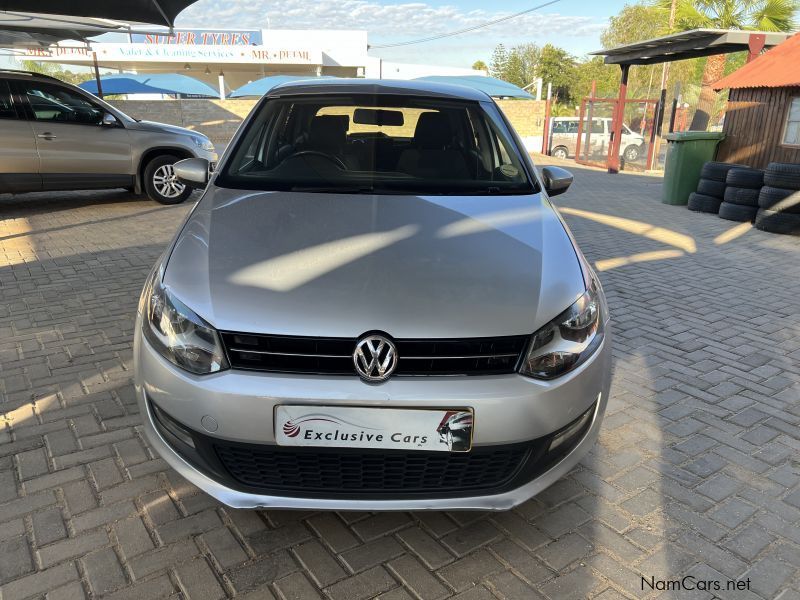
[{"x": 180, "y": 54}]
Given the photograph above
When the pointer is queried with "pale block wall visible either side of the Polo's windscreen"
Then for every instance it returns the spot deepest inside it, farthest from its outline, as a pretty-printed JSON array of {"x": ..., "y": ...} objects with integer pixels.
[{"x": 218, "y": 119}]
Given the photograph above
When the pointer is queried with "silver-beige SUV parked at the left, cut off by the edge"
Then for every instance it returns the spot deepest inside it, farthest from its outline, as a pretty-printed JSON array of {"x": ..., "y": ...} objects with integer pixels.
[{"x": 56, "y": 136}]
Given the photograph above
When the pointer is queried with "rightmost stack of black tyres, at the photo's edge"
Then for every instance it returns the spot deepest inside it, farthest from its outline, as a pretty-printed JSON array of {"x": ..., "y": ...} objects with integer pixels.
[{"x": 779, "y": 200}]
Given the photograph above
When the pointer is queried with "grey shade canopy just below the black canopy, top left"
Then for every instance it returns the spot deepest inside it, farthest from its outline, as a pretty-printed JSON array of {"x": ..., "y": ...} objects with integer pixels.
[{"x": 25, "y": 30}]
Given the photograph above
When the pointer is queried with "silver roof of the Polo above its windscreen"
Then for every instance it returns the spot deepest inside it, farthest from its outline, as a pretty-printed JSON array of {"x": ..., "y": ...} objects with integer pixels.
[{"x": 377, "y": 86}]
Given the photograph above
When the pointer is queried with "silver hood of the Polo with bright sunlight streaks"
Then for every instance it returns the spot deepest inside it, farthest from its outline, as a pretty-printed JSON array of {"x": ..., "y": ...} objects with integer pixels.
[{"x": 340, "y": 265}]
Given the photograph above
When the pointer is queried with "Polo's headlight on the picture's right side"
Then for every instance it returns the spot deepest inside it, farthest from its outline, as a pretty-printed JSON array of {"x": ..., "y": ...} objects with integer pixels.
[{"x": 569, "y": 339}]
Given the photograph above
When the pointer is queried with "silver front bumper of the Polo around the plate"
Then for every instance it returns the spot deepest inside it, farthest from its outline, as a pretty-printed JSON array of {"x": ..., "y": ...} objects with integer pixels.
[{"x": 508, "y": 410}]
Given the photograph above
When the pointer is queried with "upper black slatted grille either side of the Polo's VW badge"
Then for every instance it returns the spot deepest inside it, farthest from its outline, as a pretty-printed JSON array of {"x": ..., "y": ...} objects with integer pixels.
[{"x": 334, "y": 356}]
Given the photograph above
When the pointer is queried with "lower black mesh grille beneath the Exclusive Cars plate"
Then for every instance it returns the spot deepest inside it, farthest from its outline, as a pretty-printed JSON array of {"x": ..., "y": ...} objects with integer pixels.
[{"x": 332, "y": 471}]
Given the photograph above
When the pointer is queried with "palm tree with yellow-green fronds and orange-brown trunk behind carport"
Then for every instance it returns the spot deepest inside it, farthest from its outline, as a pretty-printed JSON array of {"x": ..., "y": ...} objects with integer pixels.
[{"x": 758, "y": 15}]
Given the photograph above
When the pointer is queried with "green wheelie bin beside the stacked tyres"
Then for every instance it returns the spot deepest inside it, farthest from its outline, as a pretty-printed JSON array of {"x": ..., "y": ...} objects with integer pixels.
[{"x": 687, "y": 152}]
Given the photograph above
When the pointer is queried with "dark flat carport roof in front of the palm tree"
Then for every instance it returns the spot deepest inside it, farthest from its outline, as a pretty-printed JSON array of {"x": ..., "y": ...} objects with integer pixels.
[{"x": 687, "y": 44}]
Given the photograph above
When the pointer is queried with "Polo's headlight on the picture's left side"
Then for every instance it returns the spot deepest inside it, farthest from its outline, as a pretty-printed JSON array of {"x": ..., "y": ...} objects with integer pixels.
[{"x": 177, "y": 332}]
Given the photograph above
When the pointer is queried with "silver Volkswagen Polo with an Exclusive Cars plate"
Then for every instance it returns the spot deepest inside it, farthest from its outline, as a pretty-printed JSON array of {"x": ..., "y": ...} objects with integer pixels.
[{"x": 373, "y": 306}]
